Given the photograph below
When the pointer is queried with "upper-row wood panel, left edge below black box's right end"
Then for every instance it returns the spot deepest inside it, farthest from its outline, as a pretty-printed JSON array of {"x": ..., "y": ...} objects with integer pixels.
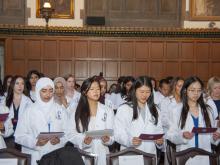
[{"x": 111, "y": 49}]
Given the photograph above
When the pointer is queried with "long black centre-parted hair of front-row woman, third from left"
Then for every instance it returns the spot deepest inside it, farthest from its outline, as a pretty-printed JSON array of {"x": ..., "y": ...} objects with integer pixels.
[{"x": 143, "y": 81}]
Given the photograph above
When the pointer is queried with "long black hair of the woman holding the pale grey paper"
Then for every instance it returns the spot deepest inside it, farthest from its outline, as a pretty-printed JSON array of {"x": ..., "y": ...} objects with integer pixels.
[{"x": 83, "y": 110}]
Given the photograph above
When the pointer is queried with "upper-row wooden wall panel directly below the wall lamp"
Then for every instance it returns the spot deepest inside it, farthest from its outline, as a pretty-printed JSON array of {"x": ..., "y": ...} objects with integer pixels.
[{"x": 50, "y": 49}]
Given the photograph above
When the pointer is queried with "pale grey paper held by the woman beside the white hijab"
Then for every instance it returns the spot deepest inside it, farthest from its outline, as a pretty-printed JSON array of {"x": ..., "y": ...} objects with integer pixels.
[{"x": 100, "y": 133}]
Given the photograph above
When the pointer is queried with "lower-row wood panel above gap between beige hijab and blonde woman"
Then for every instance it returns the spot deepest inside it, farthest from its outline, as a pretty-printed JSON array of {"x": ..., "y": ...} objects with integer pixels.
[{"x": 65, "y": 67}]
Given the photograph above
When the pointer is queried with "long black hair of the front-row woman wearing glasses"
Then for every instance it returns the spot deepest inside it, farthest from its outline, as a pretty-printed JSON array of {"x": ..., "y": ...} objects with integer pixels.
[{"x": 200, "y": 101}]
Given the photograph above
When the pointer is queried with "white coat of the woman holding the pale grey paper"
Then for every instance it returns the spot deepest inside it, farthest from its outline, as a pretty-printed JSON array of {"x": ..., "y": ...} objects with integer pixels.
[{"x": 104, "y": 120}]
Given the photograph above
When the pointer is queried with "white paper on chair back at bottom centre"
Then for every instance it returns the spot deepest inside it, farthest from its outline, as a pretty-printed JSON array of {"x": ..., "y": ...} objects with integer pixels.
[{"x": 131, "y": 160}]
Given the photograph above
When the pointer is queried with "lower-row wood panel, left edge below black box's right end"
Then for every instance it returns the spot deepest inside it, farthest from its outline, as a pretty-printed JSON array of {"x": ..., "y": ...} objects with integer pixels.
[{"x": 111, "y": 69}]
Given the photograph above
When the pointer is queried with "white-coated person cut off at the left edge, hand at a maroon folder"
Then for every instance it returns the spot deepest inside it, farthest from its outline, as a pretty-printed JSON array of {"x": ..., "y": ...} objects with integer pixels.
[{"x": 6, "y": 127}]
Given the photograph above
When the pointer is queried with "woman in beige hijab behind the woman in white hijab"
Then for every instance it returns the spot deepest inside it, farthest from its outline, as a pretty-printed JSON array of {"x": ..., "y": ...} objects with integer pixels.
[{"x": 60, "y": 91}]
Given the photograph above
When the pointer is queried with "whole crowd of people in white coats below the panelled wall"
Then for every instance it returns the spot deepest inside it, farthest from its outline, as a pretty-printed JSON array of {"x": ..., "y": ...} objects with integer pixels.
[{"x": 130, "y": 107}]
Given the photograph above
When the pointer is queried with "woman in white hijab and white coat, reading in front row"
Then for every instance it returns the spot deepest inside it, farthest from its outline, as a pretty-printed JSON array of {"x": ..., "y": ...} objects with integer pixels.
[{"x": 43, "y": 116}]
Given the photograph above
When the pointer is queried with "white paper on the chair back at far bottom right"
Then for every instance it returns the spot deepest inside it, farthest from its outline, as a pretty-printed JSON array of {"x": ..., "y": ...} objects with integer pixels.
[{"x": 200, "y": 160}]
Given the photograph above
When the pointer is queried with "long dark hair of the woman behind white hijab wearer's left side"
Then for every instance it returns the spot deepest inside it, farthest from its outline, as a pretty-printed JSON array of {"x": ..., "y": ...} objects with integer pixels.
[{"x": 10, "y": 95}]
